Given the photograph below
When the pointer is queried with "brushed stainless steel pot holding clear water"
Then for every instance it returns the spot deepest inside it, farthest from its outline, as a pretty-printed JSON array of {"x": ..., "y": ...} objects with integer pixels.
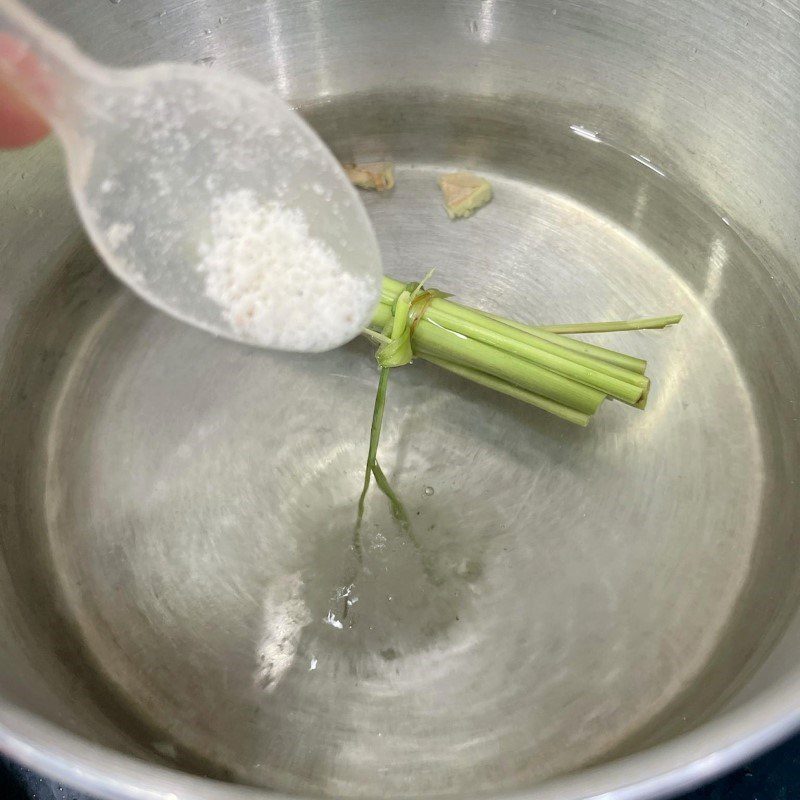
[{"x": 616, "y": 609}]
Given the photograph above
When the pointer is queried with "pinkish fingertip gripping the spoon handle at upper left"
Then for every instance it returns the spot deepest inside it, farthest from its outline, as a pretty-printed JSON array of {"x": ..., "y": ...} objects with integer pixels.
[{"x": 20, "y": 124}]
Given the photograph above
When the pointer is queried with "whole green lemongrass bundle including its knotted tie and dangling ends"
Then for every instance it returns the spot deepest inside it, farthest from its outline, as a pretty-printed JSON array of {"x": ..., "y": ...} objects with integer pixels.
[{"x": 539, "y": 365}]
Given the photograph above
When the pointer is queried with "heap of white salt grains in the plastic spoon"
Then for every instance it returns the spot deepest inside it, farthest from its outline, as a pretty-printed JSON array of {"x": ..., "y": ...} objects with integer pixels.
[{"x": 277, "y": 284}]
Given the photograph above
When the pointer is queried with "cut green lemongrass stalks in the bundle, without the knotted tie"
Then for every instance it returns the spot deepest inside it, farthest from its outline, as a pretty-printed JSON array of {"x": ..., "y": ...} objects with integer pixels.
[{"x": 540, "y": 365}]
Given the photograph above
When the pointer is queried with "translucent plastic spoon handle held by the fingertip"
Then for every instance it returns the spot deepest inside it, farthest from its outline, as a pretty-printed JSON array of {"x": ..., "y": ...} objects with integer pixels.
[{"x": 45, "y": 67}]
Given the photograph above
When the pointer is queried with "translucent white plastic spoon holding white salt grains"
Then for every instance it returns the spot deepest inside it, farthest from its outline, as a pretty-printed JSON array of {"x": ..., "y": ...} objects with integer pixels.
[{"x": 204, "y": 192}]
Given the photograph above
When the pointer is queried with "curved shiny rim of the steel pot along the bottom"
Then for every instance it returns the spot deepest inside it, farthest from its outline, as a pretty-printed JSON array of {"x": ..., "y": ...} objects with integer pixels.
[{"x": 679, "y": 764}]
